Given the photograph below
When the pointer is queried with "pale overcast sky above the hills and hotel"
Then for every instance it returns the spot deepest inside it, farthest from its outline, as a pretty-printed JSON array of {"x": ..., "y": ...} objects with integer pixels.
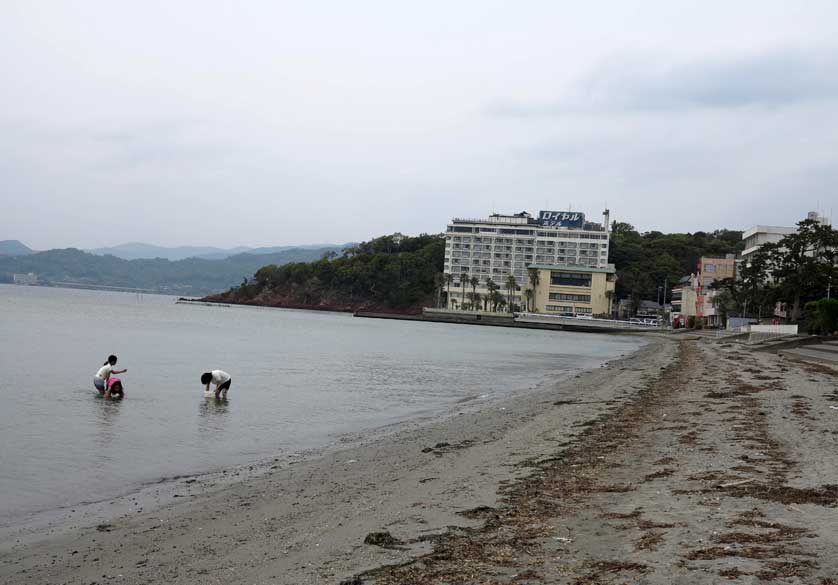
[{"x": 267, "y": 123}]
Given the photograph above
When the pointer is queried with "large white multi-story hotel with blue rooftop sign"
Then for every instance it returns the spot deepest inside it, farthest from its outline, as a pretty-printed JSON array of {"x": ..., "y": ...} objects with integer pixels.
[{"x": 504, "y": 245}]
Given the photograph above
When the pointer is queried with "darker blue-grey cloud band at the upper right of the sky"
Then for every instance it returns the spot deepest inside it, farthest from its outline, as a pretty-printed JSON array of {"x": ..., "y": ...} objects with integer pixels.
[{"x": 648, "y": 84}]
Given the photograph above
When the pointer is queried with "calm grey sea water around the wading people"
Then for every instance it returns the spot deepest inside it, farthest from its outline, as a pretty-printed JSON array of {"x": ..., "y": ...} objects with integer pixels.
[{"x": 300, "y": 380}]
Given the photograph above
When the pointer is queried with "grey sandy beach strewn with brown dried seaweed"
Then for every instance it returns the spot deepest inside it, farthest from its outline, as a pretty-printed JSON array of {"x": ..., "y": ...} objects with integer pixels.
[{"x": 686, "y": 462}]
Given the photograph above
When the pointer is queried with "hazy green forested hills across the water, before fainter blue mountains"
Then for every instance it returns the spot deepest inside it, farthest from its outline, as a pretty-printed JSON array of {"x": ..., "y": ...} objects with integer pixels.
[{"x": 189, "y": 277}]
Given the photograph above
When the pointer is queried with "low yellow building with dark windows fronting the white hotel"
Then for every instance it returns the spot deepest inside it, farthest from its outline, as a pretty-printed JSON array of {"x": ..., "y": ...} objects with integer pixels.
[{"x": 572, "y": 290}]
